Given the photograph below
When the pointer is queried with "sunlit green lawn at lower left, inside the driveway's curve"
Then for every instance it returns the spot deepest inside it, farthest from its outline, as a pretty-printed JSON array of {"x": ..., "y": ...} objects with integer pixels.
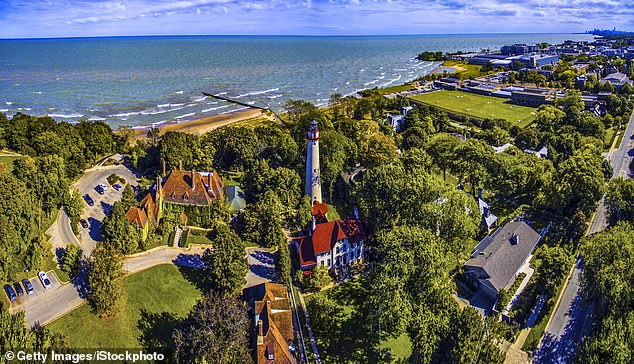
[{"x": 155, "y": 300}]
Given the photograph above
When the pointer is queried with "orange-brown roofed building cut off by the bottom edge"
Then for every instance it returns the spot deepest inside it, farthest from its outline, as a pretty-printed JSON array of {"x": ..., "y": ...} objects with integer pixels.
[{"x": 274, "y": 335}]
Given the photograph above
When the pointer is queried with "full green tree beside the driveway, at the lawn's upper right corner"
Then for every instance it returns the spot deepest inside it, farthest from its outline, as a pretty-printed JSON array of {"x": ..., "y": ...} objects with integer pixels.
[{"x": 226, "y": 263}]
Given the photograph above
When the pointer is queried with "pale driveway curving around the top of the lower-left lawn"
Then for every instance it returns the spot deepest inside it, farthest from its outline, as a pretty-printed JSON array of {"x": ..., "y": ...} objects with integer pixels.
[{"x": 45, "y": 306}]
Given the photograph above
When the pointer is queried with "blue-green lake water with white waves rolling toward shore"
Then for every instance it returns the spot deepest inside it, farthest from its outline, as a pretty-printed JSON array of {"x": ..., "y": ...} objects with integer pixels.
[{"x": 139, "y": 81}]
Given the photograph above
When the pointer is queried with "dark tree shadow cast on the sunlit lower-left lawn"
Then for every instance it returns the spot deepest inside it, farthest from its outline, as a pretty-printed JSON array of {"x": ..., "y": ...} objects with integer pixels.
[{"x": 156, "y": 331}]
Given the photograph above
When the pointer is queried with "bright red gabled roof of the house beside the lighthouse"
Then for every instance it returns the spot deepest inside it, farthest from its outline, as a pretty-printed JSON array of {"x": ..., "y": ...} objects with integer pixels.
[{"x": 327, "y": 234}]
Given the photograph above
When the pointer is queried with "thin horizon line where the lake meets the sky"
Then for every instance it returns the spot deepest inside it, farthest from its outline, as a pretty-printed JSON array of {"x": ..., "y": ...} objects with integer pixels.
[{"x": 281, "y": 35}]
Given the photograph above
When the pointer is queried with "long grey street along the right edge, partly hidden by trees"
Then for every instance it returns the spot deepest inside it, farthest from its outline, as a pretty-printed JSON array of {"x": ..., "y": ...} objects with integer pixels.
[{"x": 572, "y": 316}]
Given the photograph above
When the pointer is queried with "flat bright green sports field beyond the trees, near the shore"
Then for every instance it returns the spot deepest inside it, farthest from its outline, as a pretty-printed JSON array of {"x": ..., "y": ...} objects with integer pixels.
[{"x": 478, "y": 106}]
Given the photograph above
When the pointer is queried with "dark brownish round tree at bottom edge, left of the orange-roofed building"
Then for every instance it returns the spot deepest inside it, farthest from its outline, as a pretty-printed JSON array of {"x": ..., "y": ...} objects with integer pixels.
[{"x": 215, "y": 331}]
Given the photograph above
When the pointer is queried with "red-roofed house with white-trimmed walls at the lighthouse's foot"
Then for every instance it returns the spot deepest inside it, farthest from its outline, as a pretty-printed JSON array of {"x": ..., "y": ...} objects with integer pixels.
[{"x": 332, "y": 244}]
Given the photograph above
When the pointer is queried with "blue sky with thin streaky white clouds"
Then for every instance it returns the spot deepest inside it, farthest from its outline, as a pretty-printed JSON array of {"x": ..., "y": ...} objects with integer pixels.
[{"x": 75, "y": 18}]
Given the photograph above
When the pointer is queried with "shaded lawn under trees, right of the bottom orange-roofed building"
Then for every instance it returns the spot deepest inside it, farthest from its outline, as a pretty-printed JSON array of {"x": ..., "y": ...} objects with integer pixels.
[{"x": 350, "y": 337}]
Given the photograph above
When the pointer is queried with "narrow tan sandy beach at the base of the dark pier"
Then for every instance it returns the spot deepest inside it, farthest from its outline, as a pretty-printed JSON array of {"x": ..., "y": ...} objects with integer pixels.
[{"x": 201, "y": 126}]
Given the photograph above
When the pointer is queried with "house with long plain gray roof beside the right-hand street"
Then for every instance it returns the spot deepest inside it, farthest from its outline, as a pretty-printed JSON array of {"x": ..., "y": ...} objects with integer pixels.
[{"x": 498, "y": 259}]
